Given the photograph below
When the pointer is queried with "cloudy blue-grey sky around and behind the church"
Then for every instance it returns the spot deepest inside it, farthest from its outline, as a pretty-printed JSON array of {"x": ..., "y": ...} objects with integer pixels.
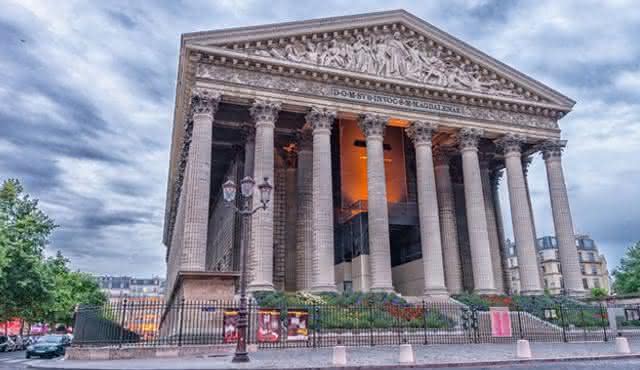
[{"x": 87, "y": 92}]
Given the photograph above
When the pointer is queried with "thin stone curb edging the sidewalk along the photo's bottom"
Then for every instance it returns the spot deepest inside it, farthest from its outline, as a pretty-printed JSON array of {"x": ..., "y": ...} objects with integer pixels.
[{"x": 390, "y": 366}]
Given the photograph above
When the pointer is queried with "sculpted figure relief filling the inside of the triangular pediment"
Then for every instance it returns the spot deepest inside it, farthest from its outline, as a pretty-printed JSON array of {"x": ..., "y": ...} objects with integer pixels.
[{"x": 394, "y": 55}]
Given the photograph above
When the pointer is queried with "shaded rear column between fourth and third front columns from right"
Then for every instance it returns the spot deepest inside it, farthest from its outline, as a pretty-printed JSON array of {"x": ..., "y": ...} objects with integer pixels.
[{"x": 448, "y": 227}]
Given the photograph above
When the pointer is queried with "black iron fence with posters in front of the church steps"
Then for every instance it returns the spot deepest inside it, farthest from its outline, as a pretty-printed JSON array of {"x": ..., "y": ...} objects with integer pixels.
[{"x": 141, "y": 323}]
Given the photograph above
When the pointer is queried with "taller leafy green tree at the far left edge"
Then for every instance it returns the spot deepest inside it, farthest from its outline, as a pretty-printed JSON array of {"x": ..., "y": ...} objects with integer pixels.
[{"x": 24, "y": 231}]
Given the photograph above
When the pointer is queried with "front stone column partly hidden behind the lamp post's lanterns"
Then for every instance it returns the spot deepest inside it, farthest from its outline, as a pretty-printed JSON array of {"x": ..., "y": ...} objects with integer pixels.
[{"x": 265, "y": 114}]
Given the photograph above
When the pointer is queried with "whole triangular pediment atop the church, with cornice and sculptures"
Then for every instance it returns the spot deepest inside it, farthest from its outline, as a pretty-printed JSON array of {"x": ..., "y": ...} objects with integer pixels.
[{"x": 393, "y": 45}]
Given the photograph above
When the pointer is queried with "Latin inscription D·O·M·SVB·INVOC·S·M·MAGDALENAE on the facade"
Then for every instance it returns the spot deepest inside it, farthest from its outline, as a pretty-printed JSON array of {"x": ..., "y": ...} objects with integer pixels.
[{"x": 396, "y": 101}]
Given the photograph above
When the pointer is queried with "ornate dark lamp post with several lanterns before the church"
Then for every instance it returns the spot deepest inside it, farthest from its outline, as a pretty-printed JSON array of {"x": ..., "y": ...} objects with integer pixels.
[{"x": 229, "y": 190}]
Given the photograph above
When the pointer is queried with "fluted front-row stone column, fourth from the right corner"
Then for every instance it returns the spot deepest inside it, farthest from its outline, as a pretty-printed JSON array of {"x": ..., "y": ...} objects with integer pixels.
[{"x": 434, "y": 280}]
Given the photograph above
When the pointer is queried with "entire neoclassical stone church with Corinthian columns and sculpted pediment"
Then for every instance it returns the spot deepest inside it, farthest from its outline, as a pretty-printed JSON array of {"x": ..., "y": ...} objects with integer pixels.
[{"x": 385, "y": 140}]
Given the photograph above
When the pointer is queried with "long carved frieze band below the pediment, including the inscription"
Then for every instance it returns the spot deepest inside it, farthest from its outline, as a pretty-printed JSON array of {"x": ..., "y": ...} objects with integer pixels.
[{"x": 307, "y": 87}]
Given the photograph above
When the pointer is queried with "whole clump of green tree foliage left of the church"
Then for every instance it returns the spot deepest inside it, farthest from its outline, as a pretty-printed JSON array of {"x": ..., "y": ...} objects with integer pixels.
[{"x": 34, "y": 288}]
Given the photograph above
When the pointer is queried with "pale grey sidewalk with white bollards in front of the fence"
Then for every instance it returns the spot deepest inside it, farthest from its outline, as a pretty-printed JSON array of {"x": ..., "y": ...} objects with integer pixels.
[{"x": 376, "y": 357}]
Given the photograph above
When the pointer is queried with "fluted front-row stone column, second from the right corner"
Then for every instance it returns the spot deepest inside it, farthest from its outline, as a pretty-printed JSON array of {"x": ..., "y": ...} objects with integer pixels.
[{"x": 521, "y": 216}]
